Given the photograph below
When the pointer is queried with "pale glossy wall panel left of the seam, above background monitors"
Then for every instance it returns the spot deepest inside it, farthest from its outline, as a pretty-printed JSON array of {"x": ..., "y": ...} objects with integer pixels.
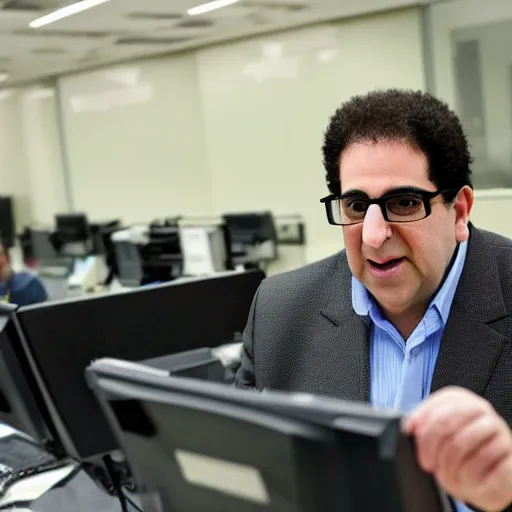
[{"x": 134, "y": 140}]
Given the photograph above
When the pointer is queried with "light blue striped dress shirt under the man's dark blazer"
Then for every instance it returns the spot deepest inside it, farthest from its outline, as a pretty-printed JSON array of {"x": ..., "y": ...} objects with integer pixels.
[{"x": 401, "y": 373}]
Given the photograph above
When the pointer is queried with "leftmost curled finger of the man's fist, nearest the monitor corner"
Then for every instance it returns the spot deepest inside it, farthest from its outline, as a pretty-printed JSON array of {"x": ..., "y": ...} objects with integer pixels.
[{"x": 441, "y": 423}]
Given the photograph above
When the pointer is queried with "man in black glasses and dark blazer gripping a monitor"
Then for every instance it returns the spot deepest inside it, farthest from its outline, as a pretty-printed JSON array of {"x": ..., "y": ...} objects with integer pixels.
[{"x": 419, "y": 302}]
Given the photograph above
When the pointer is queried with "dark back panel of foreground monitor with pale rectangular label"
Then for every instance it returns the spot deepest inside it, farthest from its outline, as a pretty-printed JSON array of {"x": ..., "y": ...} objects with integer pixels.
[{"x": 257, "y": 466}]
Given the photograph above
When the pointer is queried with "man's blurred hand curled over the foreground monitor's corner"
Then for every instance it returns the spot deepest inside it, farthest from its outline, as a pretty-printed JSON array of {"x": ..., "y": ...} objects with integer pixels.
[{"x": 466, "y": 445}]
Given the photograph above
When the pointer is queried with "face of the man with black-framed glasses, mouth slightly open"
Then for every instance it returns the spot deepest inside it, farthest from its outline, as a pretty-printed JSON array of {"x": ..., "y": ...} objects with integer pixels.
[{"x": 401, "y": 265}]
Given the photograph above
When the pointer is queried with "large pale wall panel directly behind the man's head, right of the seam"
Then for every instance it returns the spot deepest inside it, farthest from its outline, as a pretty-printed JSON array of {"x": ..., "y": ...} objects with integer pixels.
[{"x": 267, "y": 101}]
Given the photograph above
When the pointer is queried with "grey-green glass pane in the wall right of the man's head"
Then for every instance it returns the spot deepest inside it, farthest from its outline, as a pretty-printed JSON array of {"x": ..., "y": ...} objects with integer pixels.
[{"x": 482, "y": 66}]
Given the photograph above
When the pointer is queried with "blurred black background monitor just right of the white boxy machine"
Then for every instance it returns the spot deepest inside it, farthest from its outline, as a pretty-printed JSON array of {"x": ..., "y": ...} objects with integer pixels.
[{"x": 252, "y": 237}]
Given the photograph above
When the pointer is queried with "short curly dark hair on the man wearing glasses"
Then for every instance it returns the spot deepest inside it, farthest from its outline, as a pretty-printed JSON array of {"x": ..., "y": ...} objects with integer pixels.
[{"x": 401, "y": 115}]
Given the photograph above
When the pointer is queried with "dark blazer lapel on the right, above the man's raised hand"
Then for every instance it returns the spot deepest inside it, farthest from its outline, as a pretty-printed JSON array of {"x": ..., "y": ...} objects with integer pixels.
[{"x": 472, "y": 341}]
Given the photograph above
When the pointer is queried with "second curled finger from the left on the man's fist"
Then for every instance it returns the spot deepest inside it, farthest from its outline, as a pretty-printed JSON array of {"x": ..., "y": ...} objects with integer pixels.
[{"x": 456, "y": 450}]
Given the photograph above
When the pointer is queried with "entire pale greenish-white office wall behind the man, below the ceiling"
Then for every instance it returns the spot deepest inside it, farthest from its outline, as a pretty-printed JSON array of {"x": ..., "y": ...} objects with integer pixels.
[{"x": 237, "y": 126}]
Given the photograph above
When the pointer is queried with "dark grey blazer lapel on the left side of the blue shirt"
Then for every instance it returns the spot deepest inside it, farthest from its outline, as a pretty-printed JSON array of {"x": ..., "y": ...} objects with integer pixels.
[{"x": 344, "y": 328}]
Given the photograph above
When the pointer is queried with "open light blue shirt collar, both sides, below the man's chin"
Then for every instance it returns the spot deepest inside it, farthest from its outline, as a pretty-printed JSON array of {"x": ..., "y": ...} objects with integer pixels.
[{"x": 364, "y": 305}]
